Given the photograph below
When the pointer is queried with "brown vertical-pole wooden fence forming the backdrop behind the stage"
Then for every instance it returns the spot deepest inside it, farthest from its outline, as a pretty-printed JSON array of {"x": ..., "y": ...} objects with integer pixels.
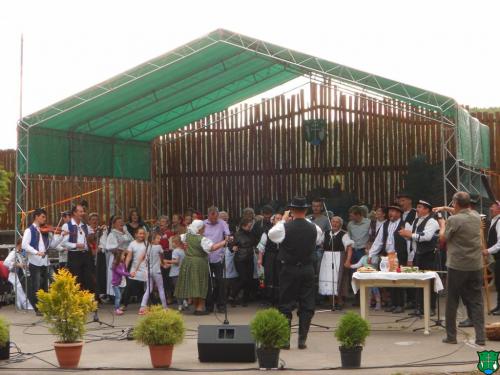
[{"x": 251, "y": 154}]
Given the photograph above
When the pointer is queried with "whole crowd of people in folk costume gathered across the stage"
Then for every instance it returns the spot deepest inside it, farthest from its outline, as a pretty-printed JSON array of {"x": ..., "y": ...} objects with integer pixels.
[{"x": 201, "y": 262}]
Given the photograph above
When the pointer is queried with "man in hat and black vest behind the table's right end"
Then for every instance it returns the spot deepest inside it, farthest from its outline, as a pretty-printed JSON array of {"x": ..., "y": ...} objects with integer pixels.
[{"x": 423, "y": 234}]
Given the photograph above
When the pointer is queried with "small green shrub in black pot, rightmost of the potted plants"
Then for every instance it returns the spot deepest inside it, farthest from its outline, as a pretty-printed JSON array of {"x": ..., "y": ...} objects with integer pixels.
[{"x": 351, "y": 333}]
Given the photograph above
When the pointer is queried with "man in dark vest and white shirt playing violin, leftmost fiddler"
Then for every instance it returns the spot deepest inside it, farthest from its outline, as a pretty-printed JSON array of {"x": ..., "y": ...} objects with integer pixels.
[{"x": 35, "y": 243}]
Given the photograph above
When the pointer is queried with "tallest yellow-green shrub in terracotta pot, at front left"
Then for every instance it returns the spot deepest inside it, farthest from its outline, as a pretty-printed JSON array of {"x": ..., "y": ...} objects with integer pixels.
[{"x": 65, "y": 308}]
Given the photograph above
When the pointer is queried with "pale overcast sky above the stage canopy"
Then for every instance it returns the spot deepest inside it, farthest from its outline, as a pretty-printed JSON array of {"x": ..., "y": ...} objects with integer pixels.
[{"x": 449, "y": 47}]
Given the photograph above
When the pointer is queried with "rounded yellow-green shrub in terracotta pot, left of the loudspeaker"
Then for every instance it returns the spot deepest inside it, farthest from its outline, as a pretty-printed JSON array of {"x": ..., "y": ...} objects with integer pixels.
[{"x": 160, "y": 329}]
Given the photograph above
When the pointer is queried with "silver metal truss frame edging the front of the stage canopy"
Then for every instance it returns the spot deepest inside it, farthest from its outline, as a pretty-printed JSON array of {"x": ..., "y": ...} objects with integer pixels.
[{"x": 456, "y": 176}]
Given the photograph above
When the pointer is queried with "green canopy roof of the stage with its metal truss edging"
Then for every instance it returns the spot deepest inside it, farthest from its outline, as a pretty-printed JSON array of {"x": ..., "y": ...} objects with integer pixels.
[{"x": 119, "y": 118}]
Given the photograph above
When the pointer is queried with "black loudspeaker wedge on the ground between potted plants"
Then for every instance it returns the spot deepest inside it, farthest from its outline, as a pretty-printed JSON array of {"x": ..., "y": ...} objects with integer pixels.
[{"x": 225, "y": 343}]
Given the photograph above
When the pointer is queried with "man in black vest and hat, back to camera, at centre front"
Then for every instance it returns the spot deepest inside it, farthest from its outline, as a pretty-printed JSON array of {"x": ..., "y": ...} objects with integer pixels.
[{"x": 298, "y": 239}]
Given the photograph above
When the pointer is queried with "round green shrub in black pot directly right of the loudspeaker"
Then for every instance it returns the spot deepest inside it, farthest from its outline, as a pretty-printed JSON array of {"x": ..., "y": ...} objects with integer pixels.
[{"x": 271, "y": 331}]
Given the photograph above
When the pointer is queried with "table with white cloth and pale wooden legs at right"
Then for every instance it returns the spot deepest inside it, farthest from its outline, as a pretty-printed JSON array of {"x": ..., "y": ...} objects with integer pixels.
[{"x": 365, "y": 280}]
